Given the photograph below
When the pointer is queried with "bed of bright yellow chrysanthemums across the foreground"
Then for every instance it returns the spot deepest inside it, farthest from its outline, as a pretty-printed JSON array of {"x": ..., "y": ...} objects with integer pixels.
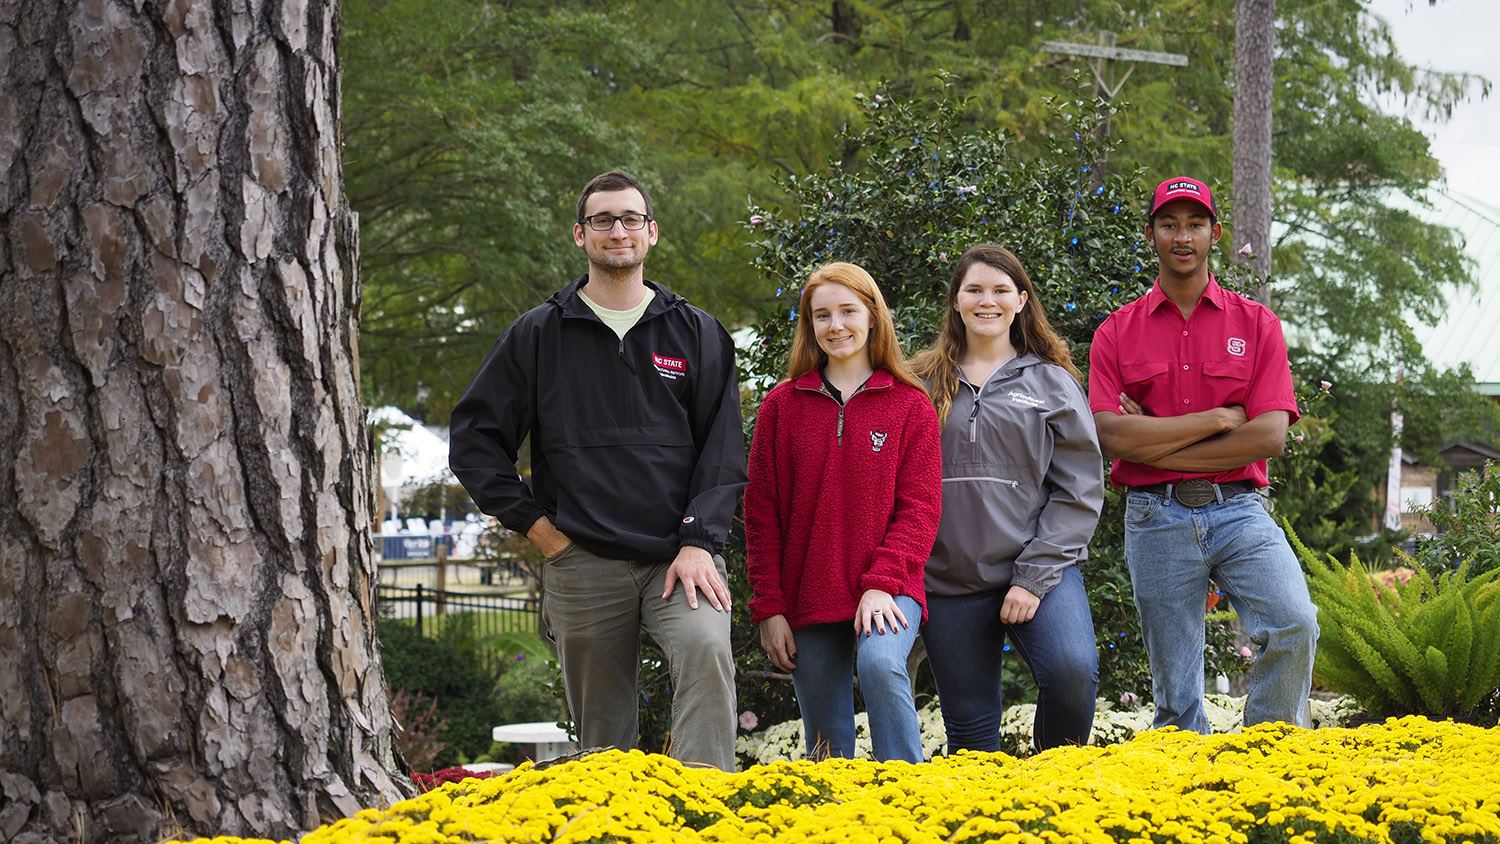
[{"x": 1406, "y": 782}]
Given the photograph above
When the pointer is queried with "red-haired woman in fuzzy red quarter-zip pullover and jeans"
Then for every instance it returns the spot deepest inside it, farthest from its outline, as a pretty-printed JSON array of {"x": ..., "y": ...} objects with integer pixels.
[{"x": 841, "y": 515}]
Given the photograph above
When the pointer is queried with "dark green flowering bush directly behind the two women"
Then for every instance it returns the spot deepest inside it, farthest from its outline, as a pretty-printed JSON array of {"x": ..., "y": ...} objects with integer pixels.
[{"x": 913, "y": 191}]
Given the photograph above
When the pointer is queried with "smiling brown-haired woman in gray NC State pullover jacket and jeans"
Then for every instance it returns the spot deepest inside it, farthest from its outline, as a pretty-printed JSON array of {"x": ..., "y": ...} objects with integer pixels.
[{"x": 1022, "y": 489}]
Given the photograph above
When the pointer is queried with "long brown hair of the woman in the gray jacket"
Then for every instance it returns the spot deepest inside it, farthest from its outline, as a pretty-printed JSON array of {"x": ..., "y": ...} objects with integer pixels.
[{"x": 1031, "y": 332}]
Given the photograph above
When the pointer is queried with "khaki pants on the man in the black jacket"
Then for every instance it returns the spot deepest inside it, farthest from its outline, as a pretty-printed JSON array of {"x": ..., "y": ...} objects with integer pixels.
[{"x": 595, "y": 609}]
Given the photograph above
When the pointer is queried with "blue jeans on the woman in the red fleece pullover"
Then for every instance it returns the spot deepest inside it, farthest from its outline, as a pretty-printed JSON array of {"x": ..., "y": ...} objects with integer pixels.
[{"x": 824, "y": 683}]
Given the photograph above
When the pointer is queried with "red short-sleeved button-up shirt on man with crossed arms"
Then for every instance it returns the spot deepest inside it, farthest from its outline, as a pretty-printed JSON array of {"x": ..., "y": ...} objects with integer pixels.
[{"x": 1229, "y": 353}]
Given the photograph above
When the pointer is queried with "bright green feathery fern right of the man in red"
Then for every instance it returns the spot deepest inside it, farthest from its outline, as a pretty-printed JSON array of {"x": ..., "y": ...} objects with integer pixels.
[{"x": 1426, "y": 647}]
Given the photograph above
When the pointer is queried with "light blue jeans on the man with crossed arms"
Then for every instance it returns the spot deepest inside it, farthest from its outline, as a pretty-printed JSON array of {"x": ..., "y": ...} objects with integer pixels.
[{"x": 1174, "y": 552}]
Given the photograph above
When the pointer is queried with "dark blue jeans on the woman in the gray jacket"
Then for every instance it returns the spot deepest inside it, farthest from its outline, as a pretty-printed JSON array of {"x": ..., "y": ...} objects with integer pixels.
[{"x": 965, "y": 648}]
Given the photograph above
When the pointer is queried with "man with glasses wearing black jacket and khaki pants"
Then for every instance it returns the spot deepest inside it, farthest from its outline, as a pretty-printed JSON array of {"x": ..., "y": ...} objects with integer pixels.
[{"x": 631, "y": 400}]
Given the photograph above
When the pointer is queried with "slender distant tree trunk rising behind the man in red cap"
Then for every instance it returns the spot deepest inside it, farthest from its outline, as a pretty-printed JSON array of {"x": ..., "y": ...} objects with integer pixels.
[{"x": 1255, "y": 80}]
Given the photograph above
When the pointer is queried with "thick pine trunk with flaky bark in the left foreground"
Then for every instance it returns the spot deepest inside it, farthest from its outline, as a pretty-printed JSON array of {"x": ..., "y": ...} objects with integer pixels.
[{"x": 187, "y": 617}]
